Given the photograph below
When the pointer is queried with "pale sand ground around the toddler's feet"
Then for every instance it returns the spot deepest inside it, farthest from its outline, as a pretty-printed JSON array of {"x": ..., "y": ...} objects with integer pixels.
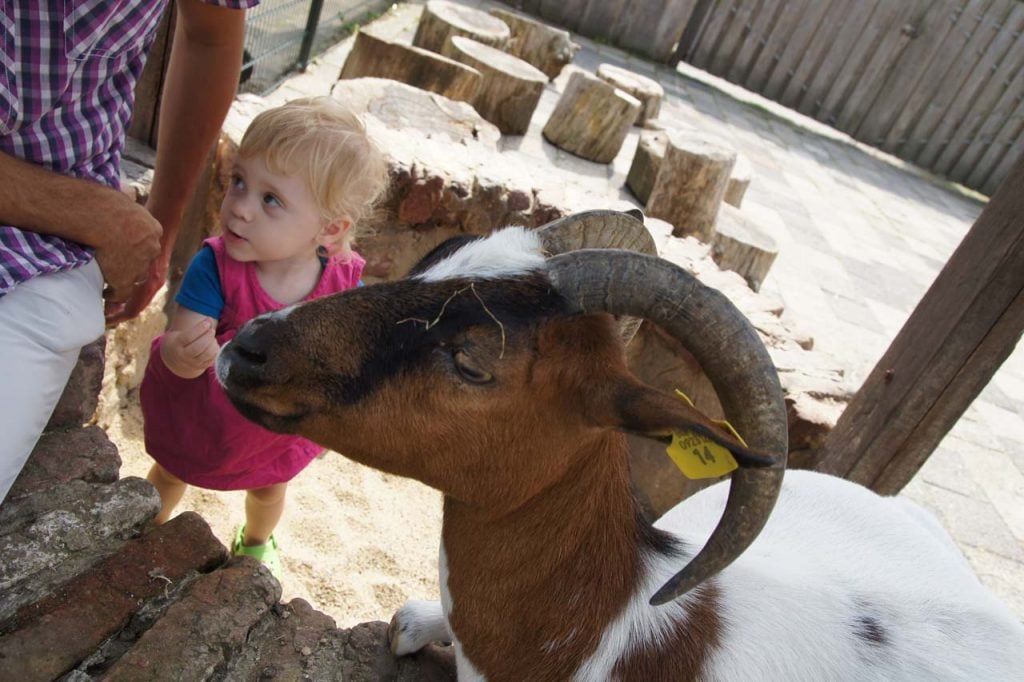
[{"x": 356, "y": 543}]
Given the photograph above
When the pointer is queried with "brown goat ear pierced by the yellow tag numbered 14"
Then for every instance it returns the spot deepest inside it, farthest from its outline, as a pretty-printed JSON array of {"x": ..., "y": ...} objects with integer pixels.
[{"x": 655, "y": 414}]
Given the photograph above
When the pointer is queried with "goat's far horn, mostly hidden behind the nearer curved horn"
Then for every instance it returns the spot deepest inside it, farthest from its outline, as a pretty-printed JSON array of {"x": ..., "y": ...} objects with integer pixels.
[{"x": 601, "y": 230}]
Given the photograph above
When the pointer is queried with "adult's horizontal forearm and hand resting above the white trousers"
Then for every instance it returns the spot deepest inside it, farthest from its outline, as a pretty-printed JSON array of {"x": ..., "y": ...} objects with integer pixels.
[{"x": 125, "y": 236}]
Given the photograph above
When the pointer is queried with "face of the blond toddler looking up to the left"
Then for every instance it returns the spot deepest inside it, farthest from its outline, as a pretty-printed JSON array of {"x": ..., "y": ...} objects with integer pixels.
[{"x": 268, "y": 218}]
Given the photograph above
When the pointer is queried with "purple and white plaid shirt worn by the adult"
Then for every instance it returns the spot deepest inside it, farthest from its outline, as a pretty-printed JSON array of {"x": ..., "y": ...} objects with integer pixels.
[{"x": 68, "y": 73}]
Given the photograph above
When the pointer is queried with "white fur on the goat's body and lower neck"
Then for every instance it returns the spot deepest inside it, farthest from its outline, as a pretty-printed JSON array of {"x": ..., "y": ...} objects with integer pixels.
[{"x": 832, "y": 553}]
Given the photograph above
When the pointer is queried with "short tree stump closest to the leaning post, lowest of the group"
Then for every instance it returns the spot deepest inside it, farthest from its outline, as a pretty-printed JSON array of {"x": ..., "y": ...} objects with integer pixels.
[{"x": 742, "y": 246}]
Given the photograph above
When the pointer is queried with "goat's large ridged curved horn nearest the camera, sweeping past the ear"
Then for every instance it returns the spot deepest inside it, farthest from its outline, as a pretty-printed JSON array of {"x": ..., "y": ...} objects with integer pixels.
[{"x": 733, "y": 357}]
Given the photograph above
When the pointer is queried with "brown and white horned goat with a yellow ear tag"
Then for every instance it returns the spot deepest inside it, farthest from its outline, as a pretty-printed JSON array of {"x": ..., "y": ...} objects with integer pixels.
[{"x": 497, "y": 375}]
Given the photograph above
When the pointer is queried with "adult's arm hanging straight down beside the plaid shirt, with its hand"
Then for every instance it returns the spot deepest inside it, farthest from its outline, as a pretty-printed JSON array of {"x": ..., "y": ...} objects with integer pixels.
[{"x": 202, "y": 80}]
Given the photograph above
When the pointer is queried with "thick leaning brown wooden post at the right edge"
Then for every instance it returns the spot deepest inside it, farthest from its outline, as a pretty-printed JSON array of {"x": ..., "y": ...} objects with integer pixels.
[{"x": 963, "y": 330}]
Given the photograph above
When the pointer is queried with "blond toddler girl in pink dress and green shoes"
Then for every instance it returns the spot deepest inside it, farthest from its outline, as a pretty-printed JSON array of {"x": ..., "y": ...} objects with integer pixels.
[{"x": 306, "y": 175}]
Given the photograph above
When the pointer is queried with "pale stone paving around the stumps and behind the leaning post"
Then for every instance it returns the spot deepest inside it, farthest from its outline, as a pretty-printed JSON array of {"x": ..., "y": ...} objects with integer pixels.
[{"x": 862, "y": 237}]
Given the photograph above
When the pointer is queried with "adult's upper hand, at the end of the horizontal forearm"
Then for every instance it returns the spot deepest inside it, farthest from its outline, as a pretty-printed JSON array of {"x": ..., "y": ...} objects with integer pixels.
[{"x": 126, "y": 247}]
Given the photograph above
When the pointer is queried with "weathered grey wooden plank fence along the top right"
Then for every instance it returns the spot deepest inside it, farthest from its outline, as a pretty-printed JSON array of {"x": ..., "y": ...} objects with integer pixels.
[{"x": 940, "y": 83}]
